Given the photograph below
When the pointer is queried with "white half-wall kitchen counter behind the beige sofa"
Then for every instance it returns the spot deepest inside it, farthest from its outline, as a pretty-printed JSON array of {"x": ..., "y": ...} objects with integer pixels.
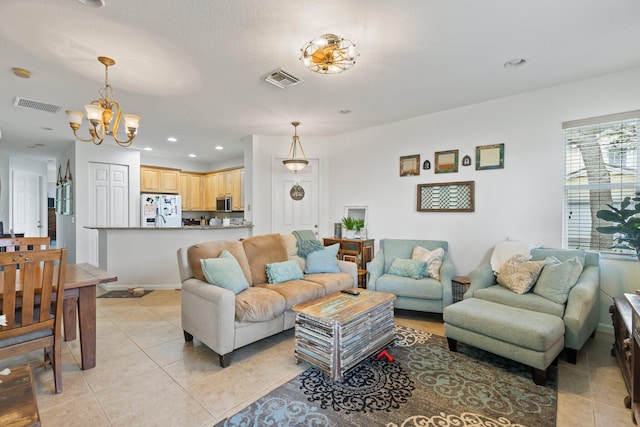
[{"x": 147, "y": 256}]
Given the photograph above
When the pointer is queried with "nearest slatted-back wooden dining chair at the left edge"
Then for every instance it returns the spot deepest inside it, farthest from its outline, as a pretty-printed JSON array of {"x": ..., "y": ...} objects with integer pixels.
[{"x": 32, "y": 286}]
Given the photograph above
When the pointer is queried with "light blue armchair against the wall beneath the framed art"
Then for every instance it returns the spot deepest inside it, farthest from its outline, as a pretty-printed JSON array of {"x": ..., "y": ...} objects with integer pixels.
[{"x": 429, "y": 295}]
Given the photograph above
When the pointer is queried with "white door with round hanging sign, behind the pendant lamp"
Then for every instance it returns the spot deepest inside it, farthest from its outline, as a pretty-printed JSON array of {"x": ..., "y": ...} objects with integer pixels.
[{"x": 289, "y": 214}]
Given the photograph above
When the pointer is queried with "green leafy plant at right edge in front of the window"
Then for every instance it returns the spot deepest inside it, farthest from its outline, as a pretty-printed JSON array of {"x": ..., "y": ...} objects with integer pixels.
[{"x": 626, "y": 224}]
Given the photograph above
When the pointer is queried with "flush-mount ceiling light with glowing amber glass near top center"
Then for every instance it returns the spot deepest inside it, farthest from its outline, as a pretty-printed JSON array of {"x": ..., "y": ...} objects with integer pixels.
[{"x": 329, "y": 54}]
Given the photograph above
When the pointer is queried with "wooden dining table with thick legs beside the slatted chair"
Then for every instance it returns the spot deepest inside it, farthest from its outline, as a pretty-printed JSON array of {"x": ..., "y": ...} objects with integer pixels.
[{"x": 80, "y": 297}]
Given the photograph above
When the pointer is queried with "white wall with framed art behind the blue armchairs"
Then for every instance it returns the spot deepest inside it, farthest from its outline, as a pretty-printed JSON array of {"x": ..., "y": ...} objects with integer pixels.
[{"x": 522, "y": 201}]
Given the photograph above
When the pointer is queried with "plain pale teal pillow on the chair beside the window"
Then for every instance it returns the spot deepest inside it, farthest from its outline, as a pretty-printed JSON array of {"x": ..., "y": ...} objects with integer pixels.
[{"x": 557, "y": 279}]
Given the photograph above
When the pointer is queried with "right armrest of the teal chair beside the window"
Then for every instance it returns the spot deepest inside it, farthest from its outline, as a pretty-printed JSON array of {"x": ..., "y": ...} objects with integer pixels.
[{"x": 582, "y": 312}]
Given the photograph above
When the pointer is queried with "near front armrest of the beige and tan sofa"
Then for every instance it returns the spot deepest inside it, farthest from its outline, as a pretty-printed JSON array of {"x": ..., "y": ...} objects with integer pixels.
[{"x": 208, "y": 313}]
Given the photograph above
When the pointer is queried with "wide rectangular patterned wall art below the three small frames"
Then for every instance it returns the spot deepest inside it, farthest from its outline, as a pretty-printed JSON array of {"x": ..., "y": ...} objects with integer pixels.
[{"x": 446, "y": 197}]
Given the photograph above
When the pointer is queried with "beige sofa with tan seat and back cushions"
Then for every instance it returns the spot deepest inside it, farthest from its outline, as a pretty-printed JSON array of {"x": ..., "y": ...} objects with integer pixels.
[{"x": 225, "y": 321}]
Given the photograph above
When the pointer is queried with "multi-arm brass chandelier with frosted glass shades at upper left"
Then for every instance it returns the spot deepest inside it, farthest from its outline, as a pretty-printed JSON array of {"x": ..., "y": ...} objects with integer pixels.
[{"x": 101, "y": 111}]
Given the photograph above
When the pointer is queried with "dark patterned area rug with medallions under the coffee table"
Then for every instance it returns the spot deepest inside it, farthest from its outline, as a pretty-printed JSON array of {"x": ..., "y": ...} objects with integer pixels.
[{"x": 426, "y": 385}]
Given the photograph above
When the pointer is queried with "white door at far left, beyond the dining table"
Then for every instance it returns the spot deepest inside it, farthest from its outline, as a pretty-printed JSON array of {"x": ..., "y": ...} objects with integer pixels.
[{"x": 26, "y": 205}]
